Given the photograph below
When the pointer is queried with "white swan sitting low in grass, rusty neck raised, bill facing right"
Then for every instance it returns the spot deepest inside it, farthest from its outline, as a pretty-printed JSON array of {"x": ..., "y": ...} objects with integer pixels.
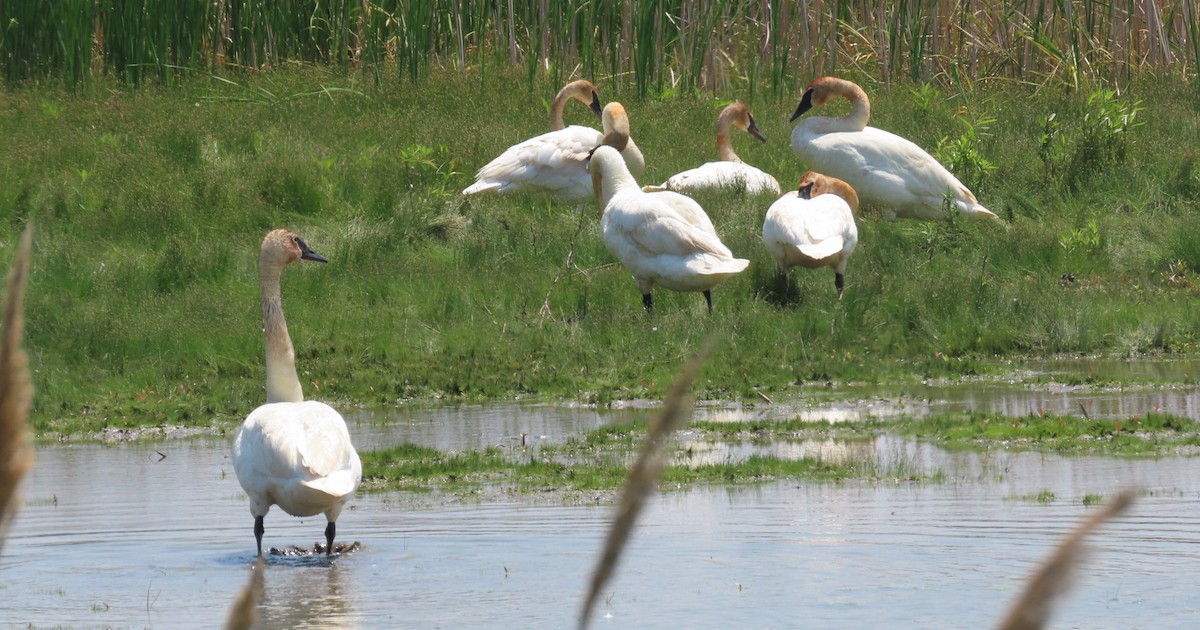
[{"x": 730, "y": 172}]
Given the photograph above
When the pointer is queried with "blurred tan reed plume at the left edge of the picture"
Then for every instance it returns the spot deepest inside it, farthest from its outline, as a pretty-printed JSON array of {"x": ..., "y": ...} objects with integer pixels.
[{"x": 16, "y": 391}]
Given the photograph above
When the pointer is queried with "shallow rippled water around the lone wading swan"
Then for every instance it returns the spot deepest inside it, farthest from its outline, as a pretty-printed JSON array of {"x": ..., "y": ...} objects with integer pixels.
[{"x": 121, "y": 537}]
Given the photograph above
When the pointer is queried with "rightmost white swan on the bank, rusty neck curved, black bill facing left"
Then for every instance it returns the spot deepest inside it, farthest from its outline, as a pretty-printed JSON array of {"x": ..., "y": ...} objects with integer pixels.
[{"x": 886, "y": 170}]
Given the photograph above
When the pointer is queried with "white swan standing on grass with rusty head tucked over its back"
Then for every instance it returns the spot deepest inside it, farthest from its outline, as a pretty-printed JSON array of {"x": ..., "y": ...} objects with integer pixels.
[{"x": 814, "y": 226}]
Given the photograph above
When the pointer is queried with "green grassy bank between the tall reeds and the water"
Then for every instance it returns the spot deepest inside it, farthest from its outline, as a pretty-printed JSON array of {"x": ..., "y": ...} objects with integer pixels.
[{"x": 151, "y": 205}]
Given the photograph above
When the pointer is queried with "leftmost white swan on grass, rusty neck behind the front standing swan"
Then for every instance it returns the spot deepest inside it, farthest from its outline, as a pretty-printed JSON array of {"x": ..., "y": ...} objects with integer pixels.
[{"x": 556, "y": 163}]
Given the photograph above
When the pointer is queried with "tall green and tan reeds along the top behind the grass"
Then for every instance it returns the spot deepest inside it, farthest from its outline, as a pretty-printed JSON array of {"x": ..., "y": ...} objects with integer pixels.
[{"x": 655, "y": 46}]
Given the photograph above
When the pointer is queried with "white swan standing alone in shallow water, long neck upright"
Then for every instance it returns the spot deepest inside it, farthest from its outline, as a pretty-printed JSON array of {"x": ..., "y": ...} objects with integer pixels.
[{"x": 292, "y": 453}]
